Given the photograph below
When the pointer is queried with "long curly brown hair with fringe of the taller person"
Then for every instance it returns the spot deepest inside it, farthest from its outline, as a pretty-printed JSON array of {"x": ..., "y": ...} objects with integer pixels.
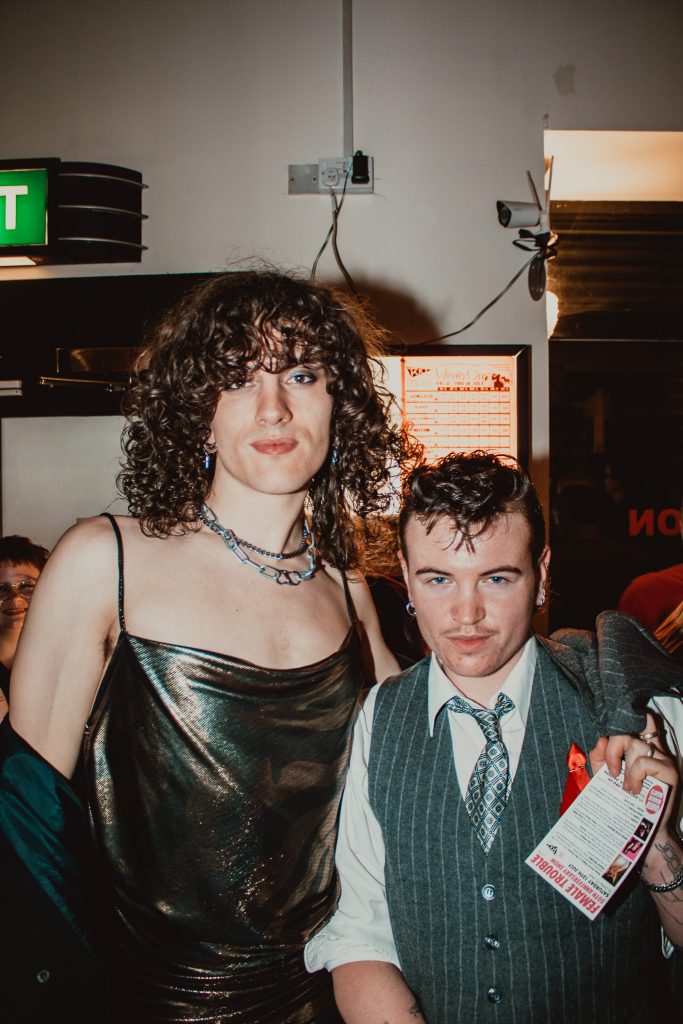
[{"x": 221, "y": 333}]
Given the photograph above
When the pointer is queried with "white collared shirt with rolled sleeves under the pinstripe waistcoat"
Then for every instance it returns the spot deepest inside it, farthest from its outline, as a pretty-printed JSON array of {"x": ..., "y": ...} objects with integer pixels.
[{"x": 361, "y": 929}]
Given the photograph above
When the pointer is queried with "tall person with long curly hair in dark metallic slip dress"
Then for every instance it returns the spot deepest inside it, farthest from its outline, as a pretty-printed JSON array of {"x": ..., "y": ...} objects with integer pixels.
[{"x": 204, "y": 657}]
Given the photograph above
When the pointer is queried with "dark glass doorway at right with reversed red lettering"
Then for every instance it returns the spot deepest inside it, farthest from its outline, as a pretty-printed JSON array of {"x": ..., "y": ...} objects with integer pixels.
[{"x": 616, "y": 401}]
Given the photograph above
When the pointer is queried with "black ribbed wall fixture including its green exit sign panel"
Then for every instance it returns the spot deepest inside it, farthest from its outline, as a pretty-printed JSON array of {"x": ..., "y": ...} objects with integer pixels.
[{"x": 58, "y": 212}]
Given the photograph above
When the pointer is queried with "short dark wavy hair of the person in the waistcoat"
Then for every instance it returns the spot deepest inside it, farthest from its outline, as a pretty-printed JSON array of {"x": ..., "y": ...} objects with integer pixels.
[{"x": 474, "y": 490}]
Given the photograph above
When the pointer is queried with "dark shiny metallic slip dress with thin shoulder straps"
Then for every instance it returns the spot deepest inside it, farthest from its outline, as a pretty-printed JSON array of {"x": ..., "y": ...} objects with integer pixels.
[{"x": 214, "y": 791}]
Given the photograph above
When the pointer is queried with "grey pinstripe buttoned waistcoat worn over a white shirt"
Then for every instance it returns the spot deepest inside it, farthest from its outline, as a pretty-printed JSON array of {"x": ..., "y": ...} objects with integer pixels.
[{"x": 527, "y": 956}]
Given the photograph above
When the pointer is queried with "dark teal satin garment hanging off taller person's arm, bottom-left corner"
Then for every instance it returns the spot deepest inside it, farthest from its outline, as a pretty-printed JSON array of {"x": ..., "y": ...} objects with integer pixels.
[{"x": 51, "y": 911}]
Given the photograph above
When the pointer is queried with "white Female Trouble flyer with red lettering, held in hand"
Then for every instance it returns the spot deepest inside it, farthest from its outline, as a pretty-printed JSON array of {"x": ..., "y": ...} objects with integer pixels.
[{"x": 599, "y": 841}]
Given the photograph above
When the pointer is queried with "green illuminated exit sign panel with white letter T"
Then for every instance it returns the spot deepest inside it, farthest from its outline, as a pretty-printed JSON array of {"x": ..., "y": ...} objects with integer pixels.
[{"x": 24, "y": 207}]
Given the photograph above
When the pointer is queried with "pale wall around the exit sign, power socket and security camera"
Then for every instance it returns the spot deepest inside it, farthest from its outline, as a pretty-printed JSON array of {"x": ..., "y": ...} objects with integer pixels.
[{"x": 212, "y": 102}]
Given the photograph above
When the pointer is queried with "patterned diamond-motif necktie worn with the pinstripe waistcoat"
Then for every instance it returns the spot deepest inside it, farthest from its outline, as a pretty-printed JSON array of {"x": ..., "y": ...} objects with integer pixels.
[{"x": 488, "y": 790}]
